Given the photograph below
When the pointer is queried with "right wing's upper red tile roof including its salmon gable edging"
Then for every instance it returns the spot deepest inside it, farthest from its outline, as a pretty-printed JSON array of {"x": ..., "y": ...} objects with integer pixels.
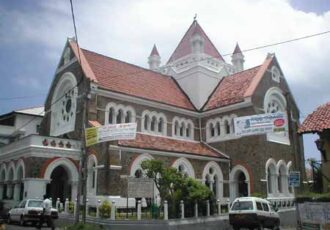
[{"x": 235, "y": 88}]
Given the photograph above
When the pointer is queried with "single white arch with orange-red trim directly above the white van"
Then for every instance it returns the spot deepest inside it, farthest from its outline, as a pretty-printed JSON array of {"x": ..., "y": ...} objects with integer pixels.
[{"x": 239, "y": 178}]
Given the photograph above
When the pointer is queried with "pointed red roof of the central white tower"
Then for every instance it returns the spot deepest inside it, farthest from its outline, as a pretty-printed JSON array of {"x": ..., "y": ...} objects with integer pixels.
[{"x": 184, "y": 47}]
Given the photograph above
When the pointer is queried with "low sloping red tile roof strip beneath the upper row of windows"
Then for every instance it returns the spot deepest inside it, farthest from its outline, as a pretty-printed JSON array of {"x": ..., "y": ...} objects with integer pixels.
[{"x": 144, "y": 141}]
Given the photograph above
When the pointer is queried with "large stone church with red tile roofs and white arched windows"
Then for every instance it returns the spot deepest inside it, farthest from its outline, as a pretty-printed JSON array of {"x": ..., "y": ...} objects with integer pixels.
[{"x": 184, "y": 112}]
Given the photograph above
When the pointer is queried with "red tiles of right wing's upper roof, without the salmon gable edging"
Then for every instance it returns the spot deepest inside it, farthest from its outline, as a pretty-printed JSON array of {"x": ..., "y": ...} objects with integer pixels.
[{"x": 231, "y": 89}]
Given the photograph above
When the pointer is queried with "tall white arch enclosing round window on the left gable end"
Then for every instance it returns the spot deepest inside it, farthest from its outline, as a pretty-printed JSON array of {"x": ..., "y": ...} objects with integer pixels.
[{"x": 64, "y": 105}]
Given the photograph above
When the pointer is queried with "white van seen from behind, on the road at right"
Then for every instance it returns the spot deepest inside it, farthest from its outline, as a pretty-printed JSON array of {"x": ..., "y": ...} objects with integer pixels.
[{"x": 253, "y": 212}]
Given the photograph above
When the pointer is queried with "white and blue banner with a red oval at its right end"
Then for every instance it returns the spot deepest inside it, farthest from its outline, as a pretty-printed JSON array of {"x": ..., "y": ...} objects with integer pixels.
[{"x": 260, "y": 124}]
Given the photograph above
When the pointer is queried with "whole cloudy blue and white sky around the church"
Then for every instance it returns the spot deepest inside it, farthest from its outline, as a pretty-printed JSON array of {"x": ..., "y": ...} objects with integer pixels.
[{"x": 33, "y": 34}]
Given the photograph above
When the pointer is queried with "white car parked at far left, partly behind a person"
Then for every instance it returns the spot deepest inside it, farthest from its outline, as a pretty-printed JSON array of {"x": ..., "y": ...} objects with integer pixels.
[{"x": 28, "y": 210}]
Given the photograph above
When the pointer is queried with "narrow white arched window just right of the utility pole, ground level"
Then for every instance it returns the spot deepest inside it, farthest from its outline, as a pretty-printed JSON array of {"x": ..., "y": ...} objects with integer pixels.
[{"x": 91, "y": 174}]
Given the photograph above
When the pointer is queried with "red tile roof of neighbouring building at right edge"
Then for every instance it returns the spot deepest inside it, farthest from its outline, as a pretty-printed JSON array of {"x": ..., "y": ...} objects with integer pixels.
[{"x": 317, "y": 121}]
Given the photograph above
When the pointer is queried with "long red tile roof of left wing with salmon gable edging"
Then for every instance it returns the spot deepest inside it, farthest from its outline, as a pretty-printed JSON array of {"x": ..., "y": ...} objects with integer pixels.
[{"x": 121, "y": 77}]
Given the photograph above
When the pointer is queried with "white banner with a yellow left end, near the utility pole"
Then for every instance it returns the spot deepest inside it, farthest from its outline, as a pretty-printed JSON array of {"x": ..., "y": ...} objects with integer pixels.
[{"x": 124, "y": 131}]
